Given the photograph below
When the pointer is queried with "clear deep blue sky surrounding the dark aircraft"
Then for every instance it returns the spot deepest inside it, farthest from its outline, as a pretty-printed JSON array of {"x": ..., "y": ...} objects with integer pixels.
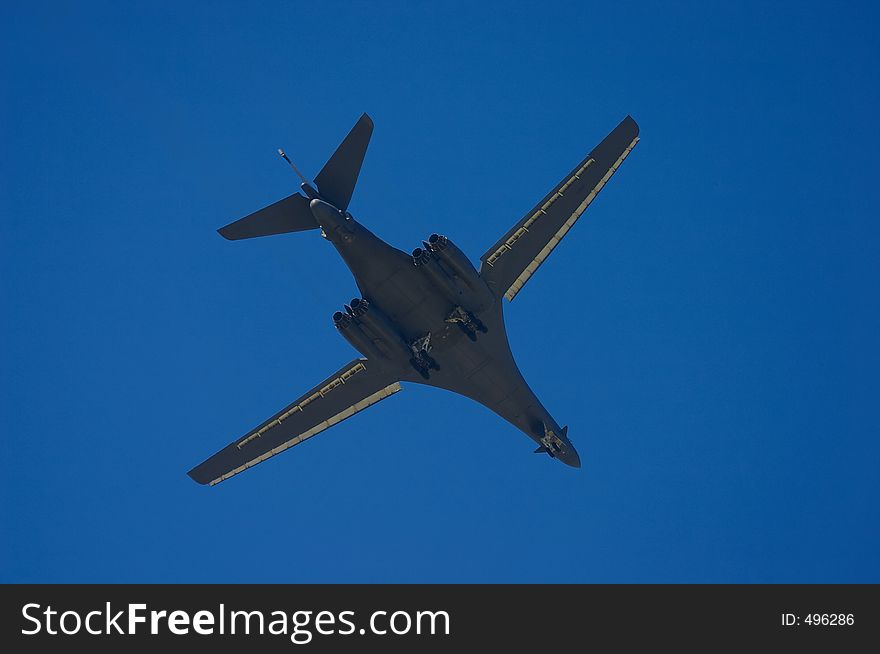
[{"x": 708, "y": 330}]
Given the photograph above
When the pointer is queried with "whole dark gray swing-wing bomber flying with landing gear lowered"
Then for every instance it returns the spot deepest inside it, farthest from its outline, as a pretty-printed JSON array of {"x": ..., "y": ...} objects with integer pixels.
[{"x": 430, "y": 317}]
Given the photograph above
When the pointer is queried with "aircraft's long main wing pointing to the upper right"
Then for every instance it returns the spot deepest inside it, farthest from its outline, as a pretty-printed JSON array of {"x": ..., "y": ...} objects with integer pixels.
[{"x": 509, "y": 264}]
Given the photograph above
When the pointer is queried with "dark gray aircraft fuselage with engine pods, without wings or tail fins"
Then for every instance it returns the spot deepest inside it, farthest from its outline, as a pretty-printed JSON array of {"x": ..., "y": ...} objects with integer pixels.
[{"x": 431, "y": 318}]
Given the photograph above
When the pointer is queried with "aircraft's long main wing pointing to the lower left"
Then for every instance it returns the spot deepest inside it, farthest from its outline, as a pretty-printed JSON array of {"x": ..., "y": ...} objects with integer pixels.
[{"x": 350, "y": 389}]
